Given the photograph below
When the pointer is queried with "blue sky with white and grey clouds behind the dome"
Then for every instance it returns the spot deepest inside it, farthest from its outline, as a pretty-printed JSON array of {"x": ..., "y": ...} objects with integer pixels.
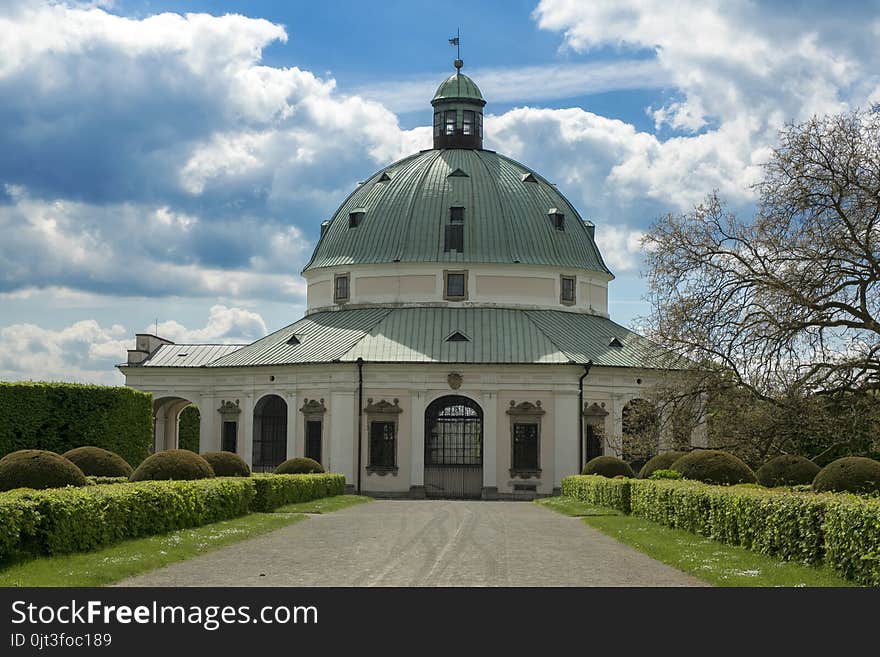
[{"x": 171, "y": 161}]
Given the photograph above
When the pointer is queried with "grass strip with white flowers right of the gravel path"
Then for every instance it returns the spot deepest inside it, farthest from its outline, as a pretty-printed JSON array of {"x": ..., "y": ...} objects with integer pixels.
[{"x": 711, "y": 561}]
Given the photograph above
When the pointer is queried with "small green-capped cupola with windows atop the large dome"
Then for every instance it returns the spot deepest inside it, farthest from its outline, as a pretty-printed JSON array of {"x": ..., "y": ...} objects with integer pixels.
[{"x": 458, "y": 112}]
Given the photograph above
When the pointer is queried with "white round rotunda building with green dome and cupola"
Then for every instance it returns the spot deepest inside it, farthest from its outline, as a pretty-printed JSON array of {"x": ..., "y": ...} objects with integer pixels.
[{"x": 456, "y": 342}]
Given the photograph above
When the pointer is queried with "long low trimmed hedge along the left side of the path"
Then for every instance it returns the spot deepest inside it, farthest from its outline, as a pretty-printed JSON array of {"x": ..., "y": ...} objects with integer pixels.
[{"x": 78, "y": 519}]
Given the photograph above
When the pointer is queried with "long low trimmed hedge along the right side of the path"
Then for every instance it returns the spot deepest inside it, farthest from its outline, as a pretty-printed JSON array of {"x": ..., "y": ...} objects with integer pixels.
[{"x": 839, "y": 529}]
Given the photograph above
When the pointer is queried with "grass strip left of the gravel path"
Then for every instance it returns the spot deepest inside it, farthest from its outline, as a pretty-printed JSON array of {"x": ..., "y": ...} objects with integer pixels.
[{"x": 129, "y": 558}]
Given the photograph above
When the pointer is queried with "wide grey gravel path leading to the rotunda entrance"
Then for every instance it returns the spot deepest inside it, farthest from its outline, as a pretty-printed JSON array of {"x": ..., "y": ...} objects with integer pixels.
[{"x": 425, "y": 543}]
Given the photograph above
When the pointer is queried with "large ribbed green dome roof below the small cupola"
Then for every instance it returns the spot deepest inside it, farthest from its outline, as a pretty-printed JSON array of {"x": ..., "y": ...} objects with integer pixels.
[{"x": 406, "y": 208}]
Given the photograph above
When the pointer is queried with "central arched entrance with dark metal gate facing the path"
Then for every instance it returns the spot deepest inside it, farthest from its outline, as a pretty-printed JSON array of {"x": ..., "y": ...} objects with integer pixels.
[{"x": 454, "y": 448}]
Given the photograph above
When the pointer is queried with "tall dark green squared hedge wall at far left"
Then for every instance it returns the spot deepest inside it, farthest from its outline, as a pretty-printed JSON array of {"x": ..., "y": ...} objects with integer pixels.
[{"x": 60, "y": 416}]
